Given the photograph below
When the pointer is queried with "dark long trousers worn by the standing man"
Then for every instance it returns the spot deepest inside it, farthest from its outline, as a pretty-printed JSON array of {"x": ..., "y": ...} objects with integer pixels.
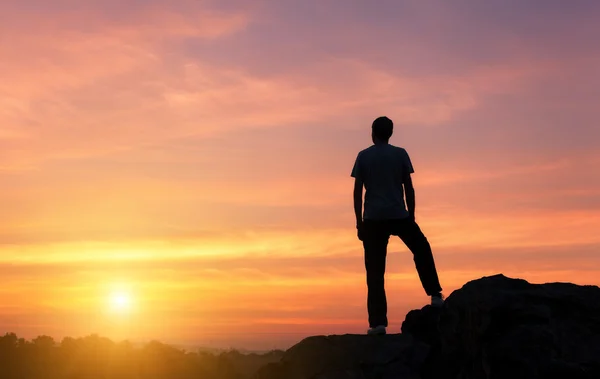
[{"x": 375, "y": 235}]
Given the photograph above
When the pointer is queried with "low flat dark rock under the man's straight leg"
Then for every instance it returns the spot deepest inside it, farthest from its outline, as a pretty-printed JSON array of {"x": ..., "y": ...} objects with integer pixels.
[{"x": 350, "y": 356}]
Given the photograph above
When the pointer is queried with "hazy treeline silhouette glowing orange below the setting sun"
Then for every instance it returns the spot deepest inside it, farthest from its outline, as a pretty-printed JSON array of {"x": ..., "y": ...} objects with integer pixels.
[{"x": 95, "y": 357}]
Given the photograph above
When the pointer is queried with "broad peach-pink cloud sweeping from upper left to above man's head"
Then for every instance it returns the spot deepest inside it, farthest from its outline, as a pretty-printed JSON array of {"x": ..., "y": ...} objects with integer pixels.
[{"x": 106, "y": 85}]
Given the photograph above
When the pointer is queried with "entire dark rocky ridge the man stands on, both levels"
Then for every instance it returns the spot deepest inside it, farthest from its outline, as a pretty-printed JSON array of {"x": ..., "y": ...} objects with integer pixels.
[{"x": 492, "y": 328}]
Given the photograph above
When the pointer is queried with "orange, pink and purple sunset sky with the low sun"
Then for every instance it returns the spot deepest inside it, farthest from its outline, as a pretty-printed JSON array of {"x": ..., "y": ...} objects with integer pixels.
[{"x": 180, "y": 170}]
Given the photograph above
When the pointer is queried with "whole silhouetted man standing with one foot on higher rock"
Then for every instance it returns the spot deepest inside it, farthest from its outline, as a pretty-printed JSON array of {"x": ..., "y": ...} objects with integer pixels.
[{"x": 384, "y": 170}]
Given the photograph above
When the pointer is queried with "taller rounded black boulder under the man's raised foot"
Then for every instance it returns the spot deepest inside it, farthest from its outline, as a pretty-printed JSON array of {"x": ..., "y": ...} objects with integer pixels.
[{"x": 497, "y": 327}]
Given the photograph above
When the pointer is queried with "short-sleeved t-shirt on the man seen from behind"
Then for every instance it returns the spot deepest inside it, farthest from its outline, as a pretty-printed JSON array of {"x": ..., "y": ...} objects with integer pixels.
[{"x": 381, "y": 168}]
